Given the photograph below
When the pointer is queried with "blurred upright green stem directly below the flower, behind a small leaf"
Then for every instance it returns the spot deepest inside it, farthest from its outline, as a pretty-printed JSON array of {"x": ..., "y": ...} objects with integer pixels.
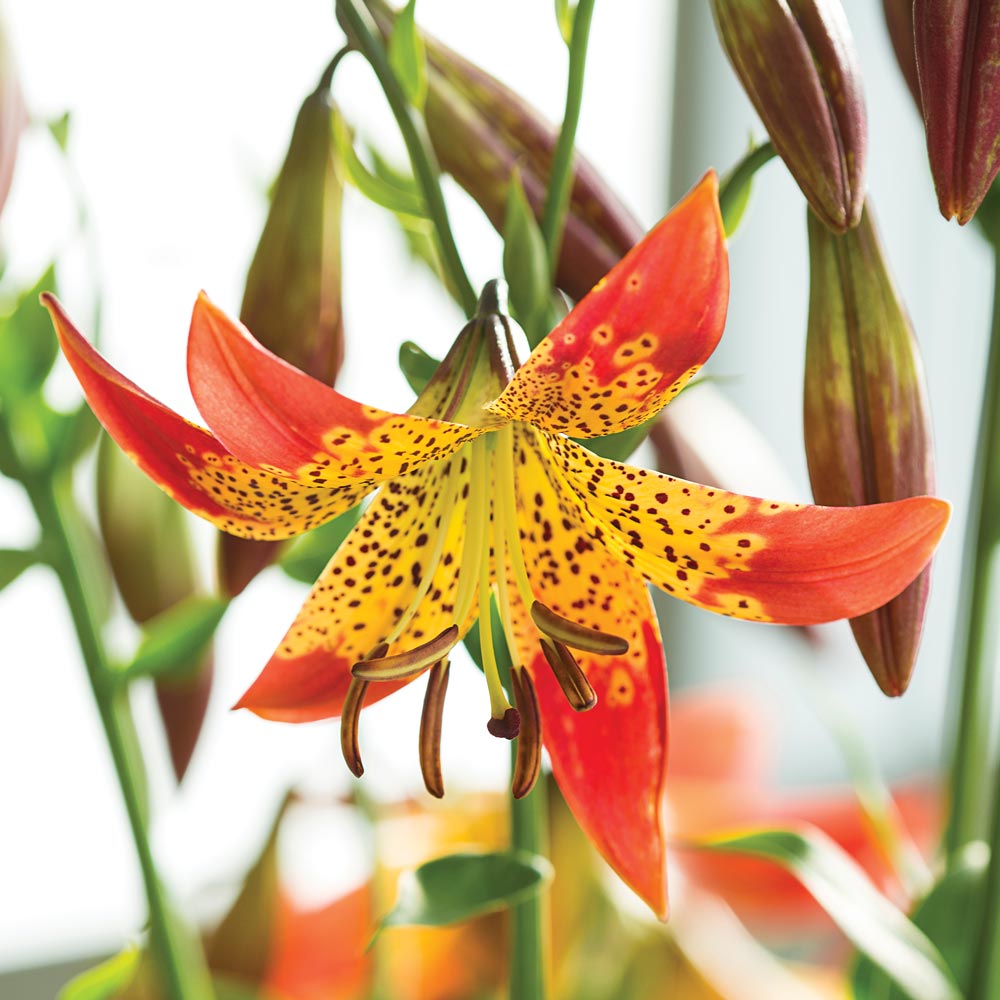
[{"x": 529, "y": 920}]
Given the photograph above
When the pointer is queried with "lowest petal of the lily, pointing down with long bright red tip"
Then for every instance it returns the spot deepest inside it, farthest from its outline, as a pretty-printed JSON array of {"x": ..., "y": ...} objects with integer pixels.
[{"x": 610, "y": 761}]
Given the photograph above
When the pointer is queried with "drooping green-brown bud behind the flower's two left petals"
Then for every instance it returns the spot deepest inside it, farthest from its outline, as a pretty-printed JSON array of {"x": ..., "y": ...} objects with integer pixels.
[{"x": 292, "y": 301}]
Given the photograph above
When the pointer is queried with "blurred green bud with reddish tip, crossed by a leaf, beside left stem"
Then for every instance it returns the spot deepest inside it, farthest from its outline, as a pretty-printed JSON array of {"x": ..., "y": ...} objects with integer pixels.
[{"x": 150, "y": 555}]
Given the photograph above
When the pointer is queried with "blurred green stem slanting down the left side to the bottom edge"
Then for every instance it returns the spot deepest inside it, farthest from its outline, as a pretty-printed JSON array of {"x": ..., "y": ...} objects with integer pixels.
[{"x": 182, "y": 977}]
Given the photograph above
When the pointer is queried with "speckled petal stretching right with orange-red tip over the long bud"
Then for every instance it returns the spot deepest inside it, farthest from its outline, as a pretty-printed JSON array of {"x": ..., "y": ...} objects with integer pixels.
[{"x": 796, "y": 564}]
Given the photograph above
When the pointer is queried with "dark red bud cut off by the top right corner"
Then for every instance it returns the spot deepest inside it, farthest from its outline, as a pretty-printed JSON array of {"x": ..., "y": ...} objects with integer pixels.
[{"x": 958, "y": 61}]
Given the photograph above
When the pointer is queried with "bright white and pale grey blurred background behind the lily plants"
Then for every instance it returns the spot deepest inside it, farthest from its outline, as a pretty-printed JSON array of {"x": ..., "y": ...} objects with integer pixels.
[{"x": 179, "y": 118}]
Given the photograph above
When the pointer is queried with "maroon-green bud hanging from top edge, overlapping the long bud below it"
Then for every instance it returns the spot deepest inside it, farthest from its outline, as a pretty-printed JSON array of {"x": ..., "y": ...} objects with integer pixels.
[{"x": 797, "y": 64}]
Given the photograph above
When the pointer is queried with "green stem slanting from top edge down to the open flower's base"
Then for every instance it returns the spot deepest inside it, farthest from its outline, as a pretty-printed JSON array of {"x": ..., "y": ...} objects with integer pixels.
[{"x": 363, "y": 31}]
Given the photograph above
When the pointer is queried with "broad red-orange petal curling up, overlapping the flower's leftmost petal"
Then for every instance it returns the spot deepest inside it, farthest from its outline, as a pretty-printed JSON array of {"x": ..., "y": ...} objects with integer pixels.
[{"x": 274, "y": 416}]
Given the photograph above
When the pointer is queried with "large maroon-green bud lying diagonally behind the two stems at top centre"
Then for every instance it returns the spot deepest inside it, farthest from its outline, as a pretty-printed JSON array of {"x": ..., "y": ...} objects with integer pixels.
[{"x": 481, "y": 131}]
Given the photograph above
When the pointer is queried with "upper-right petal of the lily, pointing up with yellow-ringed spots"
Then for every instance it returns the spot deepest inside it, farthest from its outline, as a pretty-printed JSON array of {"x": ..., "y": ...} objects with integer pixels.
[{"x": 634, "y": 341}]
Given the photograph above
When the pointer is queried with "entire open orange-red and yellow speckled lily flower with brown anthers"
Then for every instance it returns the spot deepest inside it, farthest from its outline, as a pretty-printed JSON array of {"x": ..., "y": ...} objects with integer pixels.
[{"x": 483, "y": 495}]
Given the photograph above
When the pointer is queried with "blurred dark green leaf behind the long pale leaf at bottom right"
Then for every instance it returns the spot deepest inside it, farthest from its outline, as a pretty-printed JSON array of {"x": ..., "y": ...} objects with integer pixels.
[{"x": 945, "y": 915}]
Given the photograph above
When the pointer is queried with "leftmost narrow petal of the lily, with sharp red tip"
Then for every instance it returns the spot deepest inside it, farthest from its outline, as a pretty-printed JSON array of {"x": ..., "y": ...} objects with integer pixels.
[{"x": 187, "y": 462}]
